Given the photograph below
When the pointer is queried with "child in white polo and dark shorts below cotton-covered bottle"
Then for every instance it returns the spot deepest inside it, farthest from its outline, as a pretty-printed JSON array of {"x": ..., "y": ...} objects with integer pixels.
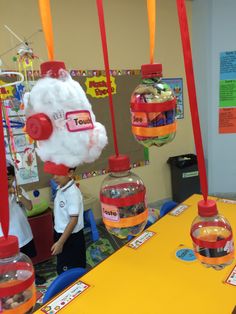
[{"x": 69, "y": 246}]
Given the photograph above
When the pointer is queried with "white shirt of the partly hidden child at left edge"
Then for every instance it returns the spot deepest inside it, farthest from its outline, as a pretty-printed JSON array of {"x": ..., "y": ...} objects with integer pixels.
[{"x": 19, "y": 225}]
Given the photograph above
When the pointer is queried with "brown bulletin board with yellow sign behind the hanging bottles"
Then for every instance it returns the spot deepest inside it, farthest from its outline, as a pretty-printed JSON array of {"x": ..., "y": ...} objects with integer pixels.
[{"x": 123, "y": 83}]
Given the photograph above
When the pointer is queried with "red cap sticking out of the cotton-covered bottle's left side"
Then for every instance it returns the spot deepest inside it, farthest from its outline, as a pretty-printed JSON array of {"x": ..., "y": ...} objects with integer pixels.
[{"x": 39, "y": 126}]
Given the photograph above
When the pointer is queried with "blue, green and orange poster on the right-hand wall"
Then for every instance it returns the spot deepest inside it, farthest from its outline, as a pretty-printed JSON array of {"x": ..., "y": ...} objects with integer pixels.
[{"x": 227, "y": 102}]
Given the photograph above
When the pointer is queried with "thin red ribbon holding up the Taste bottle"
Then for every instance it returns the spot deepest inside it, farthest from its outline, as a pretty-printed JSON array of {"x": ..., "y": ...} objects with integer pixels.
[{"x": 107, "y": 70}]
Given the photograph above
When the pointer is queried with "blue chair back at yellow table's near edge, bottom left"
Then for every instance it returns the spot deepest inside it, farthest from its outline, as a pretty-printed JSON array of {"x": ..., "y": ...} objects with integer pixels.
[{"x": 63, "y": 281}]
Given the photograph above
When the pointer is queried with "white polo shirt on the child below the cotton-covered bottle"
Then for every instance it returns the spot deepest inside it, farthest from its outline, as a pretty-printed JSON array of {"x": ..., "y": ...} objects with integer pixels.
[{"x": 68, "y": 203}]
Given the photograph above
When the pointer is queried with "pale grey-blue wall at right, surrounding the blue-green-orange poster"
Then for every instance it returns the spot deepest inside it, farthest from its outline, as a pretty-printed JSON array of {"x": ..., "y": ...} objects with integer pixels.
[{"x": 214, "y": 34}]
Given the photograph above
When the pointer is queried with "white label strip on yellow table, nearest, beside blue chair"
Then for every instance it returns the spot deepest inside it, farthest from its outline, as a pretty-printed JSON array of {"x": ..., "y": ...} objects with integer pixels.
[{"x": 62, "y": 300}]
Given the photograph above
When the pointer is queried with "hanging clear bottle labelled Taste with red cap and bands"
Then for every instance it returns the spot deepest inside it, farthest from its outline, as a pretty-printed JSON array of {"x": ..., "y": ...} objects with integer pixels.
[{"x": 122, "y": 197}]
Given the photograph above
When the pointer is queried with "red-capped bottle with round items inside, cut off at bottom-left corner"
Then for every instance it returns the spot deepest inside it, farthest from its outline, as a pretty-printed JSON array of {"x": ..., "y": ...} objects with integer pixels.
[{"x": 17, "y": 288}]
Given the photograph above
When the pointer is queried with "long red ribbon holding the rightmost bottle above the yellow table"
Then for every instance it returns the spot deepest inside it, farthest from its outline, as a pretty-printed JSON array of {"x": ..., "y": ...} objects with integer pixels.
[{"x": 192, "y": 94}]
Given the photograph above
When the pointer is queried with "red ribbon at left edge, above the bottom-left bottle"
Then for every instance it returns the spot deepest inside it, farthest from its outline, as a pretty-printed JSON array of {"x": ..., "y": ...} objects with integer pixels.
[{"x": 4, "y": 205}]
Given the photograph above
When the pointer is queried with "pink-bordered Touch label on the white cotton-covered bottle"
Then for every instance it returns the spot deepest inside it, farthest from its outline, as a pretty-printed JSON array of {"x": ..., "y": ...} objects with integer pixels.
[{"x": 79, "y": 120}]
